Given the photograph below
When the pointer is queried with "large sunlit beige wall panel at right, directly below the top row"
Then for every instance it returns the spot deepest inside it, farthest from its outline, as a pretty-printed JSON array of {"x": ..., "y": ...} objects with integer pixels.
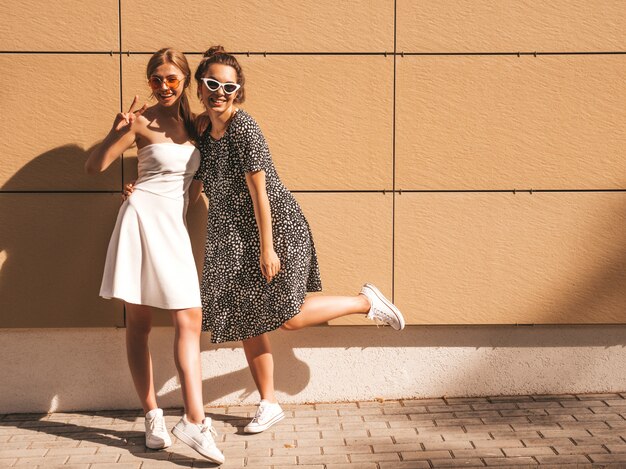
[{"x": 508, "y": 122}]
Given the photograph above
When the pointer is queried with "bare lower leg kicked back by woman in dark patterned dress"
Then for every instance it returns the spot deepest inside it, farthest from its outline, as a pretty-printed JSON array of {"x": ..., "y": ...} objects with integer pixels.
[{"x": 319, "y": 309}]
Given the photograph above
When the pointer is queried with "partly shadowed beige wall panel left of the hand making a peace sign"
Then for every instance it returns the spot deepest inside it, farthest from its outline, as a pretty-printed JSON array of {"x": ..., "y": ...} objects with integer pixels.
[{"x": 66, "y": 105}]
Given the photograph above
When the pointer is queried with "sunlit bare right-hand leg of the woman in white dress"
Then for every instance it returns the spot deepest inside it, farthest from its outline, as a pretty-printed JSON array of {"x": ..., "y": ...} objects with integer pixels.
[{"x": 188, "y": 324}]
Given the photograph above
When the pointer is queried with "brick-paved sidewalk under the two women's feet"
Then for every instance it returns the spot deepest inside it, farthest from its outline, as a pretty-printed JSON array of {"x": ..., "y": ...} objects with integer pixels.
[{"x": 584, "y": 431}]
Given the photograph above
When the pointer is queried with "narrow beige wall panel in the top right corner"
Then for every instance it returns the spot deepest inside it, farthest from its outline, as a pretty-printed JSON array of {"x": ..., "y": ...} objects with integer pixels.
[{"x": 510, "y": 25}]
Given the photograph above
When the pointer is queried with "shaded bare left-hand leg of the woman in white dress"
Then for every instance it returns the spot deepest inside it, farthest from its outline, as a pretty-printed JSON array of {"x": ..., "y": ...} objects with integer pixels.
[{"x": 138, "y": 326}]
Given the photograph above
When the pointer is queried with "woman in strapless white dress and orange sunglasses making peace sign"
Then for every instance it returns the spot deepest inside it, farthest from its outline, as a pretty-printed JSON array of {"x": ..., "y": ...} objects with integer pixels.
[{"x": 149, "y": 261}]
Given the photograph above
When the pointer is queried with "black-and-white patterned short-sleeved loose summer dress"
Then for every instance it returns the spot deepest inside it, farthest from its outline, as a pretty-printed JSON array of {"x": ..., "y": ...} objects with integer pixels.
[{"x": 237, "y": 301}]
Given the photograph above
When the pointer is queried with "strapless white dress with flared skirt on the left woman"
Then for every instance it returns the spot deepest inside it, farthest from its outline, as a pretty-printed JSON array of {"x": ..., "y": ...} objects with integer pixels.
[{"x": 149, "y": 260}]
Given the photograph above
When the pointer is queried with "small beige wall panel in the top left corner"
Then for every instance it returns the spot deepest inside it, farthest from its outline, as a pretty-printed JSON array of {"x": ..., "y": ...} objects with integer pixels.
[{"x": 72, "y": 25}]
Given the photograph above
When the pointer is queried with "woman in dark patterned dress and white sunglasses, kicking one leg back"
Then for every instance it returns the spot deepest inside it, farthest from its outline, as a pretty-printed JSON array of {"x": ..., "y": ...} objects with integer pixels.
[{"x": 260, "y": 258}]
